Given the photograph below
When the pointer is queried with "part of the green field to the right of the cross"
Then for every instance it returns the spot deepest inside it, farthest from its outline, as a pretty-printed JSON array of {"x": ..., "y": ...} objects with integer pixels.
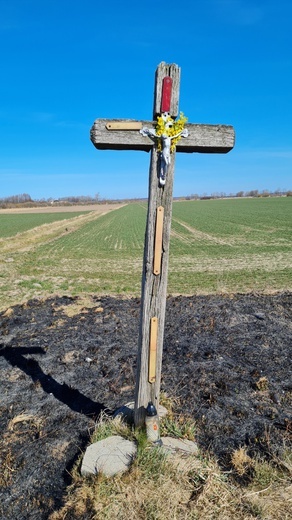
[{"x": 231, "y": 245}]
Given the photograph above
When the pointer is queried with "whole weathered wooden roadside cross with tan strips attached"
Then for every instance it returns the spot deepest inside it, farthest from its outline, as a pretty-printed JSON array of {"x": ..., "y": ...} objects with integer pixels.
[{"x": 127, "y": 134}]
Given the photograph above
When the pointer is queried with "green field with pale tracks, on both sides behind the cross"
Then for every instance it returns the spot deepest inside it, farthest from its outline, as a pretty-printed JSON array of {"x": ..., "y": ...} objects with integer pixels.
[{"x": 236, "y": 245}]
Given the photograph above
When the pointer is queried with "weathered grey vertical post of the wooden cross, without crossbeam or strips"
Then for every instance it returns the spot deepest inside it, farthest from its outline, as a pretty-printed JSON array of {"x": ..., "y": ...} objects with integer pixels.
[{"x": 154, "y": 287}]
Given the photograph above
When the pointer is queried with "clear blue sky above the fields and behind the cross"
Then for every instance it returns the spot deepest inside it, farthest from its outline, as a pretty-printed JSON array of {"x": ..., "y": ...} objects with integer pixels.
[{"x": 65, "y": 63}]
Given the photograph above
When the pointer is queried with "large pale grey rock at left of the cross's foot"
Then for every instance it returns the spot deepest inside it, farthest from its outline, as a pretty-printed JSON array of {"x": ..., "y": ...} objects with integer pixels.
[{"x": 108, "y": 456}]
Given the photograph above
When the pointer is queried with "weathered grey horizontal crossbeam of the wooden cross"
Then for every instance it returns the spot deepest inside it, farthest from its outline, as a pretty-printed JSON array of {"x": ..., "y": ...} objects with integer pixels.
[{"x": 201, "y": 138}]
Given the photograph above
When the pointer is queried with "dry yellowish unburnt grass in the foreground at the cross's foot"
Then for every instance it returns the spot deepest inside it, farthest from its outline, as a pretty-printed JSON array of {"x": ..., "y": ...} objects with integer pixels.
[{"x": 162, "y": 487}]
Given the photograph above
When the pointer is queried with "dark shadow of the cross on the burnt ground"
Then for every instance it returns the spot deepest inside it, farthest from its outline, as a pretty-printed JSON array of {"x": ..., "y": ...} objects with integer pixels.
[{"x": 64, "y": 393}]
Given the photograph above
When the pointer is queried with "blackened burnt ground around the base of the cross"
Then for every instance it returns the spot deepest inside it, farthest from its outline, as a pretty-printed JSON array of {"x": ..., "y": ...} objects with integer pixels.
[{"x": 226, "y": 363}]
